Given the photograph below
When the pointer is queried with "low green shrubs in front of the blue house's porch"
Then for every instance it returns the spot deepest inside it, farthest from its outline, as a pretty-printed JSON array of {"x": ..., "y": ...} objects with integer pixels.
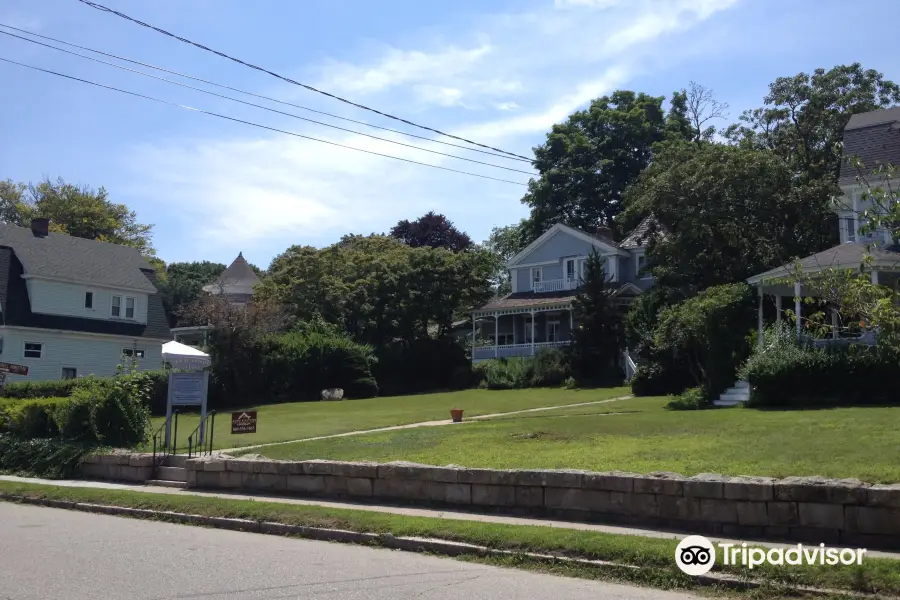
[{"x": 548, "y": 368}]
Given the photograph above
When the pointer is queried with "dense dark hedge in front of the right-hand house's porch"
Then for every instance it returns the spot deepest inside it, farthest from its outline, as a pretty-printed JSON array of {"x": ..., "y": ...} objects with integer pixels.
[{"x": 785, "y": 373}]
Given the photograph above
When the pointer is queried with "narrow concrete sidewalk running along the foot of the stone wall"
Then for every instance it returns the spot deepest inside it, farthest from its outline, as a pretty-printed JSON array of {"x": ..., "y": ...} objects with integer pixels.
[{"x": 407, "y": 511}]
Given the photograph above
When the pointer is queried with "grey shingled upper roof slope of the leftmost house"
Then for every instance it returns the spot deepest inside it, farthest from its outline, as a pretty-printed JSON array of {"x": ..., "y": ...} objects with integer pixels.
[{"x": 60, "y": 256}]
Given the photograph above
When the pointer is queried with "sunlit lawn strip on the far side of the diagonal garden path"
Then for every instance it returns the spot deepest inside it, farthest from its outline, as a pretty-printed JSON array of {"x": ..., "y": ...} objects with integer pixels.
[{"x": 298, "y": 420}]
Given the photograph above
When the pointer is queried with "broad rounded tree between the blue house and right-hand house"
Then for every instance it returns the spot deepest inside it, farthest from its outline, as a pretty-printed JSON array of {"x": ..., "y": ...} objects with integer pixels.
[{"x": 728, "y": 212}]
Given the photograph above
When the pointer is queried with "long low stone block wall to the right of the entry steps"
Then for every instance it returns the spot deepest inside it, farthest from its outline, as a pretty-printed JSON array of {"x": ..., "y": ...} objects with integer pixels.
[{"x": 802, "y": 509}]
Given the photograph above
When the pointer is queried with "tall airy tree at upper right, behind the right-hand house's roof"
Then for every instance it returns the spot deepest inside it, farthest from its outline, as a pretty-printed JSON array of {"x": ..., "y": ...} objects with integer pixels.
[{"x": 804, "y": 116}]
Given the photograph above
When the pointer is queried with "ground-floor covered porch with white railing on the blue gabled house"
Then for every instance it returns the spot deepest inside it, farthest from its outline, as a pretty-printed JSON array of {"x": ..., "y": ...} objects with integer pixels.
[{"x": 506, "y": 332}]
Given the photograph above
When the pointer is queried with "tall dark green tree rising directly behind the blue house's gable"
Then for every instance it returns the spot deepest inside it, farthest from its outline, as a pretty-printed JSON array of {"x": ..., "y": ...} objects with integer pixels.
[{"x": 588, "y": 161}]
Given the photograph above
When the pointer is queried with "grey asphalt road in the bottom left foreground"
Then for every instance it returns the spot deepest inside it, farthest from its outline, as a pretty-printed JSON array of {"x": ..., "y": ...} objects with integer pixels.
[{"x": 65, "y": 555}]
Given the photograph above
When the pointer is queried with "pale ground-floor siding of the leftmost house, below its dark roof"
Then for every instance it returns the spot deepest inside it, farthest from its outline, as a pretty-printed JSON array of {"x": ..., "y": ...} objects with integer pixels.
[{"x": 90, "y": 355}]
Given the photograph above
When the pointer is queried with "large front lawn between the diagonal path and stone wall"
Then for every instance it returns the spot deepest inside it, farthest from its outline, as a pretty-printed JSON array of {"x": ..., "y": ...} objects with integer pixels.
[{"x": 643, "y": 437}]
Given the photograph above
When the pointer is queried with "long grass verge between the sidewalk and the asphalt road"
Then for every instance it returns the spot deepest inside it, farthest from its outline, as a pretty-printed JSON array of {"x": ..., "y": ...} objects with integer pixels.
[{"x": 654, "y": 556}]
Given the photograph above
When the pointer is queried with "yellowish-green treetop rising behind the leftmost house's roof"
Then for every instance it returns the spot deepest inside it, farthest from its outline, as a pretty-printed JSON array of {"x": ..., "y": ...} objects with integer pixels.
[{"x": 79, "y": 211}]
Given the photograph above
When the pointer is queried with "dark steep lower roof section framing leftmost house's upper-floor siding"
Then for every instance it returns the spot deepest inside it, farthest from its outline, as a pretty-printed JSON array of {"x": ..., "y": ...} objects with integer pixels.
[{"x": 16, "y": 308}]
